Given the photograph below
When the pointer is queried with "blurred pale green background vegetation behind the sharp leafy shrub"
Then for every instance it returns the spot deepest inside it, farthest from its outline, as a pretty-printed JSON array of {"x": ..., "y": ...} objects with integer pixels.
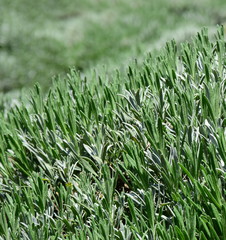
[{"x": 40, "y": 39}]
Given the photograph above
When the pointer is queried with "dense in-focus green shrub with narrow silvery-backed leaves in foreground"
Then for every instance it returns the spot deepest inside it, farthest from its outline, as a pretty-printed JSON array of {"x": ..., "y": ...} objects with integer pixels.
[{"x": 139, "y": 157}]
